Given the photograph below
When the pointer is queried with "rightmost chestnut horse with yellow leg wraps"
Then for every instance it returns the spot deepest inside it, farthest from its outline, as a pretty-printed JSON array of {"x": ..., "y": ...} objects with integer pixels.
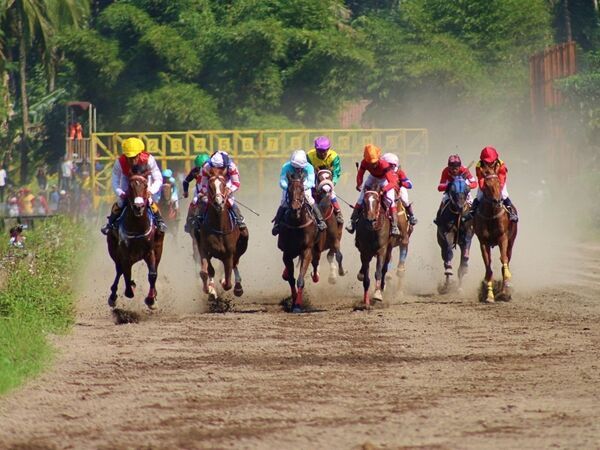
[{"x": 493, "y": 227}]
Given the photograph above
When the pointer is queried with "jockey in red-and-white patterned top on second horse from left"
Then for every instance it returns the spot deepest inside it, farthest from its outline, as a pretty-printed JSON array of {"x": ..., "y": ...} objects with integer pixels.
[{"x": 221, "y": 160}]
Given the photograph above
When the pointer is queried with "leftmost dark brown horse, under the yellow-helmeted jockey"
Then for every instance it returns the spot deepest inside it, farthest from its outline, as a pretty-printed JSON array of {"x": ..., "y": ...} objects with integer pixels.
[{"x": 137, "y": 238}]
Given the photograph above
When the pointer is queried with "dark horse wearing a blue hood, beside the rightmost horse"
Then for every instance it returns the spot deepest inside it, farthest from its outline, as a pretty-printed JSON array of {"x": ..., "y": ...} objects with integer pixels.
[{"x": 451, "y": 230}]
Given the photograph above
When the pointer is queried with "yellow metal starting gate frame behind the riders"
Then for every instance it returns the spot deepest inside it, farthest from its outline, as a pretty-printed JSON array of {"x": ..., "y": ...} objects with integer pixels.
[{"x": 251, "y": 148}]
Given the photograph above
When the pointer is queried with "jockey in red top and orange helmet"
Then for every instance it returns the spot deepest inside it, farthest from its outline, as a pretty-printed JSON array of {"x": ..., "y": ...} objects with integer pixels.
[{"x": 380, "y": 174}]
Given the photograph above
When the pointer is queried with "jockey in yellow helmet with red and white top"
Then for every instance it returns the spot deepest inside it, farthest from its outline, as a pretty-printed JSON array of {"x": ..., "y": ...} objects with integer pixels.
[{"x": 134, "y": 157}]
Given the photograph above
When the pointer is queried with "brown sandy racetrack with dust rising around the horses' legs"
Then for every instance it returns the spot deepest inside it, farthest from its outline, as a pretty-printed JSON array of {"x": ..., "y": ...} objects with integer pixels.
[{"x": 429, "y": 371}]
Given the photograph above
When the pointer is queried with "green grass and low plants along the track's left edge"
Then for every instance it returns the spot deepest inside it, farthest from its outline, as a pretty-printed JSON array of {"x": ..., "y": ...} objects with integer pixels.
[{"x": 36, "y": 298}]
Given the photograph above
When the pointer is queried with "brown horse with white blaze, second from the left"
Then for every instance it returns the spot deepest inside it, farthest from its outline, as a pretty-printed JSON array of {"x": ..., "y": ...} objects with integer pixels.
[{"x": 219, "y": 237}]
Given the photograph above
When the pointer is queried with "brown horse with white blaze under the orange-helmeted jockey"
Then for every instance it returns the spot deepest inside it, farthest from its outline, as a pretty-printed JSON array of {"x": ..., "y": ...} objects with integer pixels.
[{"x": 373, "y": 240}]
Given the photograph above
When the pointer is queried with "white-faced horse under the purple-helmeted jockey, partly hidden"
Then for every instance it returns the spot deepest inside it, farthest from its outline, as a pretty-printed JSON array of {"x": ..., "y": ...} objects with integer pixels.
[{"x": 331, "y": 237}]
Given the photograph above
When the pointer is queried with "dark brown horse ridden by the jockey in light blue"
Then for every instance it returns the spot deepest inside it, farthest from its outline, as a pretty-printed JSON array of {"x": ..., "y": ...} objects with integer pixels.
[{"x": 297, "y": 237}]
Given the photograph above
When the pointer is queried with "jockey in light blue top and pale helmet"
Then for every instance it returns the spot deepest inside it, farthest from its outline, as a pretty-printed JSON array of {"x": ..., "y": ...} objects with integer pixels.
[{"x": 298, "y": 164}]
